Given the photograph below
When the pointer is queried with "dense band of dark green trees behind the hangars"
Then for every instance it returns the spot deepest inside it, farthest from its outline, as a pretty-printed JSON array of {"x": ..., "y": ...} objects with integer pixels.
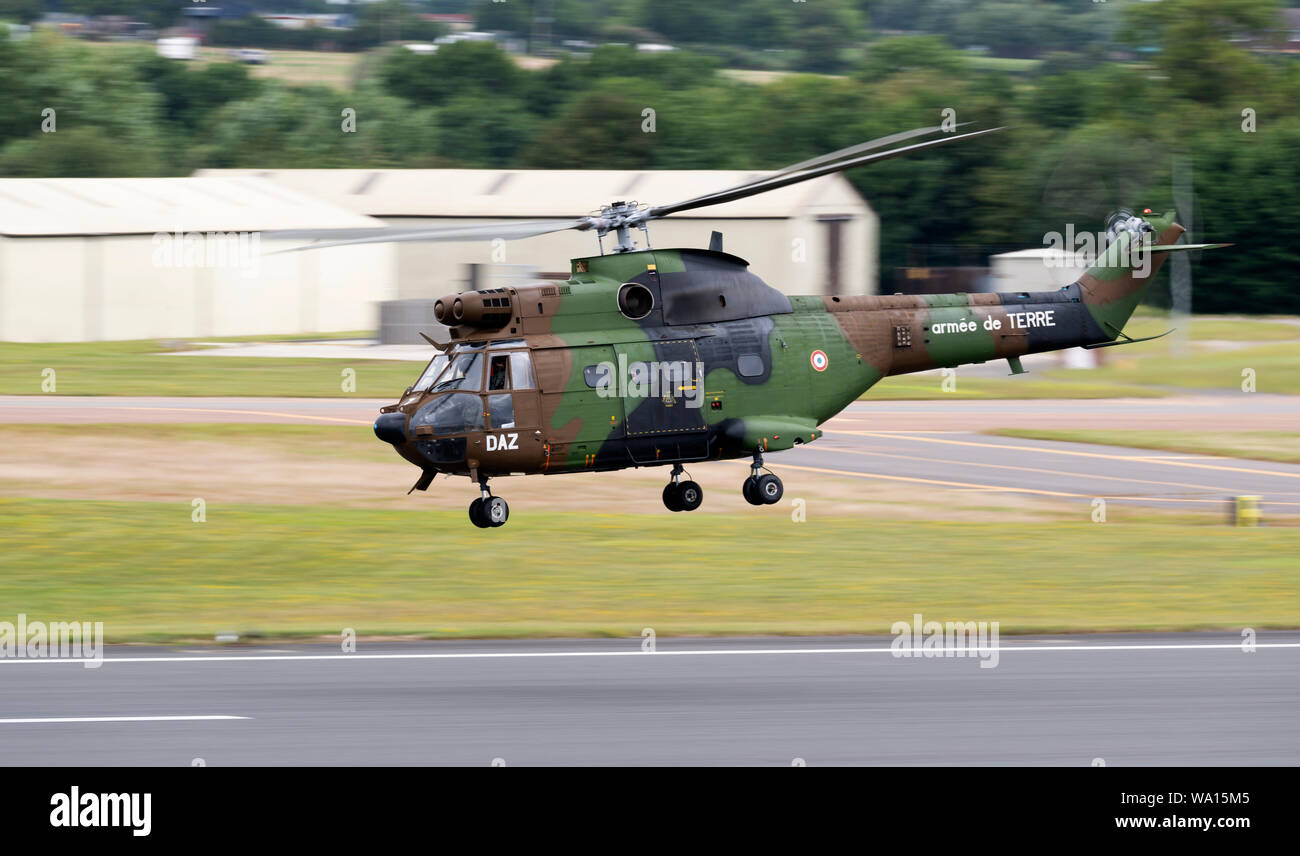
[{"x": 1086, "y": 137}]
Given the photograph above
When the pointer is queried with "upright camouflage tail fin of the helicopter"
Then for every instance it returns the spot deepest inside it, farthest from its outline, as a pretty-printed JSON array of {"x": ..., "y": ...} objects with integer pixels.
[{"x": 1115, "y": 286}]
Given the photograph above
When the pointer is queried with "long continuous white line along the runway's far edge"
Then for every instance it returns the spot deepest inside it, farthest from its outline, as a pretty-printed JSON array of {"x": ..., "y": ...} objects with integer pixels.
[{"x": 638, "y": 652}]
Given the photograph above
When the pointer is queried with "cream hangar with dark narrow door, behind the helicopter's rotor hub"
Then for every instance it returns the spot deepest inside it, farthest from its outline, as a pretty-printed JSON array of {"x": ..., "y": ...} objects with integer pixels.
[{"x": 818, "y": 237}]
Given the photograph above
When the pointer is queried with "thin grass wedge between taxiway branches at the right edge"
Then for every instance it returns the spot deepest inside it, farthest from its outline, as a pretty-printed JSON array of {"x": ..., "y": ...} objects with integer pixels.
[{"x": 1258, "y": 446}]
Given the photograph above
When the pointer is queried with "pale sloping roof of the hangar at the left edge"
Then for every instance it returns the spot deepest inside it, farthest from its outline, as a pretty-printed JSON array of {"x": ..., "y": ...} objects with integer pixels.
[{"x": 145, "y": 206}]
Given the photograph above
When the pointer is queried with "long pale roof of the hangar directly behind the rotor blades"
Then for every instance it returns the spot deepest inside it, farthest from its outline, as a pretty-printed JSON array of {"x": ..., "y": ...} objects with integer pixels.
[{"x": 551, "y": 193}]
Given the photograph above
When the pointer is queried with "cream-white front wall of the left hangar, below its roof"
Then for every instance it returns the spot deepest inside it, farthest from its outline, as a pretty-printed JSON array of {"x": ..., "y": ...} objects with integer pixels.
[{"x": 112, "y": 288}]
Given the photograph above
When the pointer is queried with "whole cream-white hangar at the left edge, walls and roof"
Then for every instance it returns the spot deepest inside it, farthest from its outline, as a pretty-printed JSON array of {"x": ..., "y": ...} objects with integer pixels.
[{"x": 96, "y": 260}]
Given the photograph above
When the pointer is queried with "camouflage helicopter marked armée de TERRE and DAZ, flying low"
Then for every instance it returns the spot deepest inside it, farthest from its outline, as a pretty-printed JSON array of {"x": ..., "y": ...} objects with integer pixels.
[{"x": 651, "y": 357}]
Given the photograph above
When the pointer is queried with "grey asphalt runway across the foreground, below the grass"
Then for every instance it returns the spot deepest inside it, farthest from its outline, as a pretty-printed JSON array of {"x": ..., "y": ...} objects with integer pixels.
[{"x": 1177, "y": 699}]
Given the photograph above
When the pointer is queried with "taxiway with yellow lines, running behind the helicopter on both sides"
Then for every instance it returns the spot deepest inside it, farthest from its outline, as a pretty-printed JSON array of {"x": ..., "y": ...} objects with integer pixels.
[{"x": 926, "y": 444}]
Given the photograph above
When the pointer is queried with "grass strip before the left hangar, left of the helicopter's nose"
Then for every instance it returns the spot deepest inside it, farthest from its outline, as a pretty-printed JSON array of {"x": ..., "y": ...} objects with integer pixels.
[{"x": 138, "y": 369}]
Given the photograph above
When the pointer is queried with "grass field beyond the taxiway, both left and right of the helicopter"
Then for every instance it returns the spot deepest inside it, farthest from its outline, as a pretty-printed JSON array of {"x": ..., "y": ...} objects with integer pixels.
[{"x": 1146, "y": 370}]
